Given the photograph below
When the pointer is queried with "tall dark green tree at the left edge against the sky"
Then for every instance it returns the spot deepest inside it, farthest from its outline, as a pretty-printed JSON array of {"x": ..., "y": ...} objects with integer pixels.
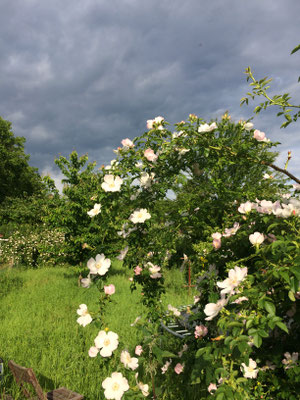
[{"x": 17, "y": 177}]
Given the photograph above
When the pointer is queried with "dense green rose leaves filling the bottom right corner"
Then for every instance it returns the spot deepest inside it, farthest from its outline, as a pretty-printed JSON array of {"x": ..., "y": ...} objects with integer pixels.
[{"x": 266, "y": 324}]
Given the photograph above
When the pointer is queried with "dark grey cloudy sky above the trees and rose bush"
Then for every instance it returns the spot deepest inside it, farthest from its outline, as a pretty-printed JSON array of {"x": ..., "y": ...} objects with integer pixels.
[{"x": 83, "y": 75}]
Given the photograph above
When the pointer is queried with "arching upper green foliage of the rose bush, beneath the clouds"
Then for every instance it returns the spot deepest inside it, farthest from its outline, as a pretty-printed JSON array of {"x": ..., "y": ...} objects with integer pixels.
[{"x": 230, "y": 171}]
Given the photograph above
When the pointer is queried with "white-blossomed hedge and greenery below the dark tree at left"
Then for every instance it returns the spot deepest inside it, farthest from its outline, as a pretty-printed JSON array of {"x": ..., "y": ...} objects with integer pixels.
[{"x": 29, "y": 241}]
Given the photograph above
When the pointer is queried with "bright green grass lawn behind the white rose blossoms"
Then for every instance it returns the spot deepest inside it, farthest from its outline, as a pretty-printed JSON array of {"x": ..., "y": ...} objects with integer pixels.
[{"x": 38, "y": 326}]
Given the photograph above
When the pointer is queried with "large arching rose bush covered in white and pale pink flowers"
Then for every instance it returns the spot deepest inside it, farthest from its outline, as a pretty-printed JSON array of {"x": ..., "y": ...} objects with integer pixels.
[{"x": 239, "y": 232}]
